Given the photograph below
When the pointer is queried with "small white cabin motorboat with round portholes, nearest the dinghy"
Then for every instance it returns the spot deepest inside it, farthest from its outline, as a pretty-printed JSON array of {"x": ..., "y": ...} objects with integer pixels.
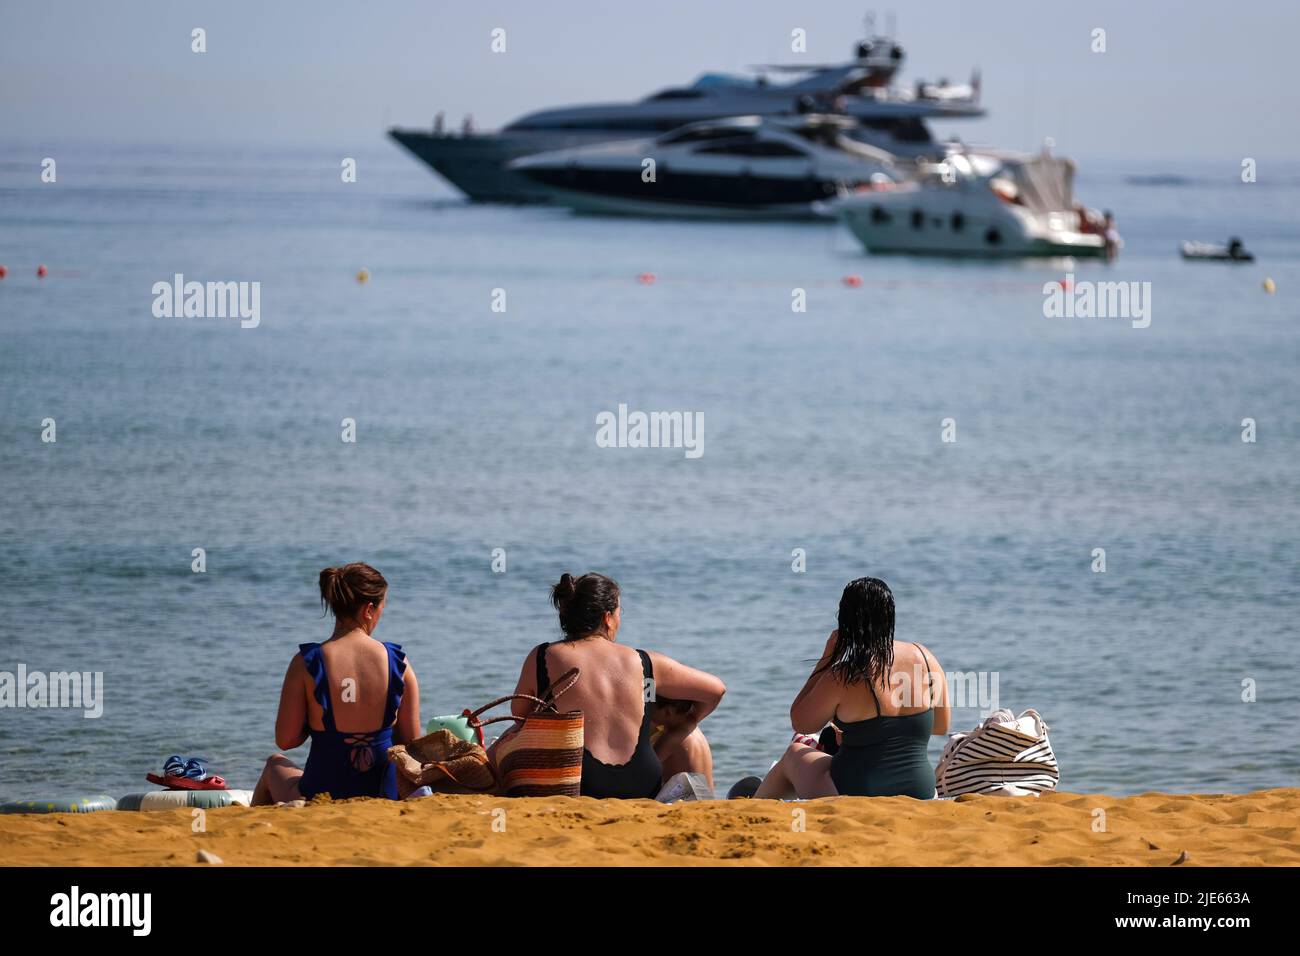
[{"x": 981, "y": 204}]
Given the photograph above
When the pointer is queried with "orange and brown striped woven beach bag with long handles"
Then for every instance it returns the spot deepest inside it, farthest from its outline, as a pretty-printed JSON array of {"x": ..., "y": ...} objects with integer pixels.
[{"x": 543, "y": 754}]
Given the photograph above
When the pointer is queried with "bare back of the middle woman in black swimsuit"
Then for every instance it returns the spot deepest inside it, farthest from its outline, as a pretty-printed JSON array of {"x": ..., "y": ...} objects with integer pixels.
[{"x": 610, "y": 693}]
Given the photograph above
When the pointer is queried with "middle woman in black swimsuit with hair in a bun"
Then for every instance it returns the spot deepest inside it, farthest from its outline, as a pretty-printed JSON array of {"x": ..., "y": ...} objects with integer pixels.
[{"x": 613, "y": 691}]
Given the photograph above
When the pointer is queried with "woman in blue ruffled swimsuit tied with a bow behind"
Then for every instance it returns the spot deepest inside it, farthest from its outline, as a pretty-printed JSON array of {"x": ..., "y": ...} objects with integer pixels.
[{"x": 353, "y": 695}]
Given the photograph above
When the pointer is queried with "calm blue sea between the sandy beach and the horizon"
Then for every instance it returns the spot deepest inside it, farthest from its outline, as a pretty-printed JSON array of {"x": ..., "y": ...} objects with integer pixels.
[{"x": 476, "y": 430}]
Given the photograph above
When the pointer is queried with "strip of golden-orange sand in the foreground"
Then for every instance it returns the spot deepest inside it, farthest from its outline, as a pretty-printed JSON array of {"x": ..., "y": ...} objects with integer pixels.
[{"x": 1055, "y": 830}]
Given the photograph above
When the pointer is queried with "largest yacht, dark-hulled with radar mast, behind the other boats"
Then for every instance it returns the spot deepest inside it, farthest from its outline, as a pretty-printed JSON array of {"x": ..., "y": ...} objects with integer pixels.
[{"x": 889, "y": 118}]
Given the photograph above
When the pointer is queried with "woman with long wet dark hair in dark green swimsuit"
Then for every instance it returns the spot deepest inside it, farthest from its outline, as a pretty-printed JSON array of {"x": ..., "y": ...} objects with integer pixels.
[{"x": 886, "y": 700}]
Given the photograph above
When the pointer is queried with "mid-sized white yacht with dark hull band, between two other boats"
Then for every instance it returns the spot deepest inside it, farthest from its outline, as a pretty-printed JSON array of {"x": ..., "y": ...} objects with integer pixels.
[{"x": 747, "y": 167}]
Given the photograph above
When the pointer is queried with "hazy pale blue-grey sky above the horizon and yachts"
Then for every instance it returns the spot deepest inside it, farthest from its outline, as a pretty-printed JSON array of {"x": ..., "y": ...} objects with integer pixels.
[{"x": 1189, "y": 80}]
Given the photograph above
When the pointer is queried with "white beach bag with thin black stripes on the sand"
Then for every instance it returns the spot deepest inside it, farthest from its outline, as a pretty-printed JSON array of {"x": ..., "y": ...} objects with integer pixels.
[{"x": 1006, "y": 756}]
